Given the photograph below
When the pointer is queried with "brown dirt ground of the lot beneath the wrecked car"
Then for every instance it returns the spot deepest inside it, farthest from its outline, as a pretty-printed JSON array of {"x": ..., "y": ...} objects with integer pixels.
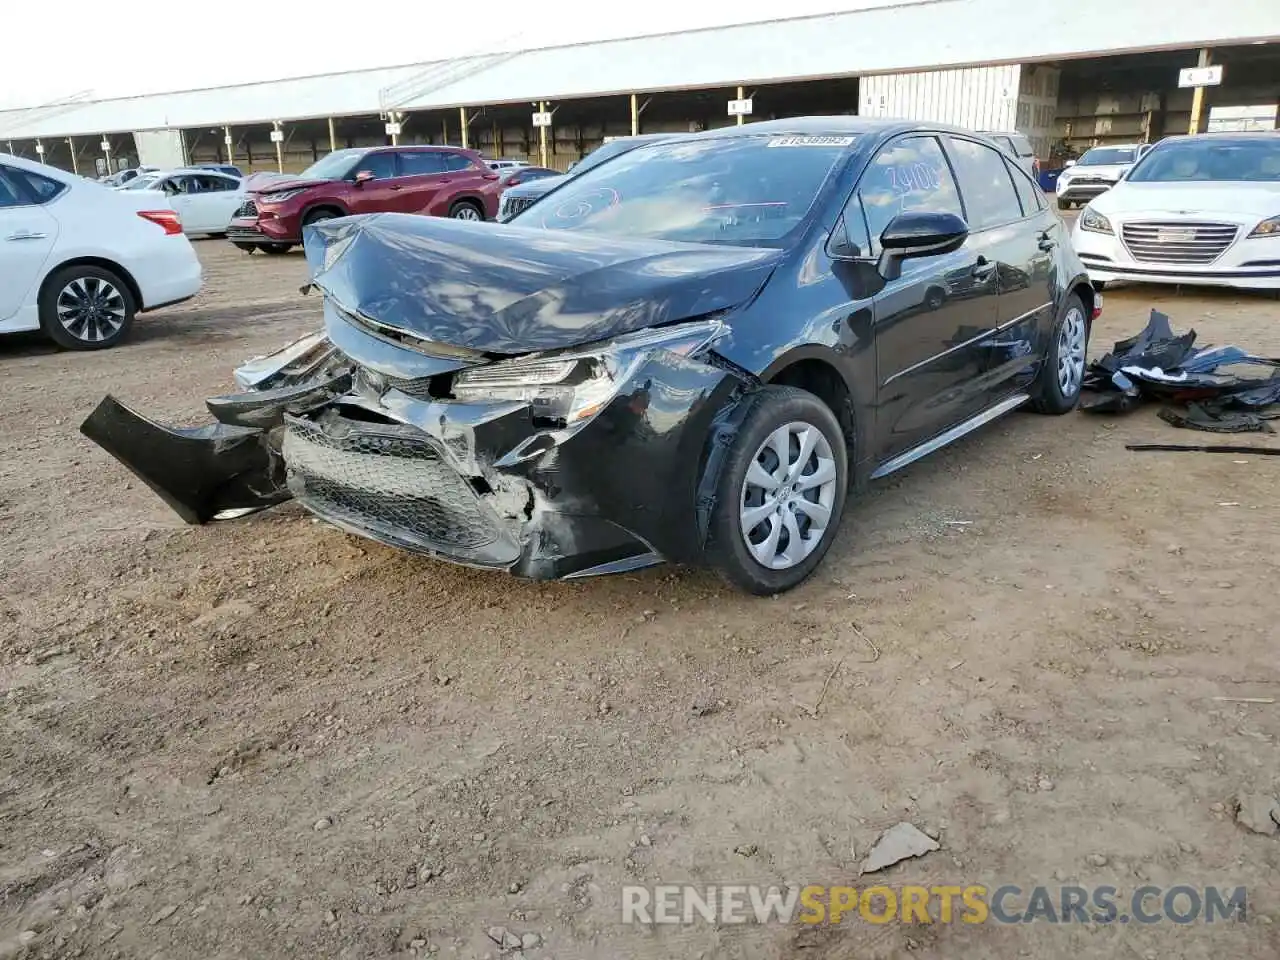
[{"x": 268, "y": 739}]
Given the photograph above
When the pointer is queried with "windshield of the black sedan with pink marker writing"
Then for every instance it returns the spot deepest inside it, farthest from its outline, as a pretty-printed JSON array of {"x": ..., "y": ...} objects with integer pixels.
[{"x": 740, "y": 191}]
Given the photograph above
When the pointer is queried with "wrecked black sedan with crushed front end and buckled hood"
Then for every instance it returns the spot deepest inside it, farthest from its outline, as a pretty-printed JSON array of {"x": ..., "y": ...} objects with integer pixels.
[{"x": 693, "y": 354}]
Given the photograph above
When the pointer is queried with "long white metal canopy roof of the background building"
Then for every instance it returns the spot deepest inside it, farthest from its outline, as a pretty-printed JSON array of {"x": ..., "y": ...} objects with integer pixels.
[{"x": 909, "y": 36}]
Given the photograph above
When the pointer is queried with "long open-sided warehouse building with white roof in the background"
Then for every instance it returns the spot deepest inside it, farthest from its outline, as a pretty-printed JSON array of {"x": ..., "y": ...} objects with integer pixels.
[{"x": 1068, "y": 76}]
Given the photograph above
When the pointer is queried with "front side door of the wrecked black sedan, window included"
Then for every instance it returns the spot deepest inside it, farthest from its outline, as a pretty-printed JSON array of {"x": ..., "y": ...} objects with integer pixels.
[{"x": 929, "y": 322}]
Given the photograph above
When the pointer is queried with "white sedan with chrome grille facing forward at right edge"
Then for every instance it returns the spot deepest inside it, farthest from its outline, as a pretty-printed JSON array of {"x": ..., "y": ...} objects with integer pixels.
[{"x": 1195, "y": 211}]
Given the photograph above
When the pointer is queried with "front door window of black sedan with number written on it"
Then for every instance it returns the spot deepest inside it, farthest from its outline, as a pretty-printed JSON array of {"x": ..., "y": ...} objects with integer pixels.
[{"x": 908, "y": 175}]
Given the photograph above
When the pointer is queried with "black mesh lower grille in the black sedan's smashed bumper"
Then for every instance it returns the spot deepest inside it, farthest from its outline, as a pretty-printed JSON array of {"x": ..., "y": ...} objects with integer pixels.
[{"x": 386, "y": 481}]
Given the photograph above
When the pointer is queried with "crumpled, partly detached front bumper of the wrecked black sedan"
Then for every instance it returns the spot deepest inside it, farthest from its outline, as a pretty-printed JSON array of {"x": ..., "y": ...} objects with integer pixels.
[{"x": 476, "y": 483}]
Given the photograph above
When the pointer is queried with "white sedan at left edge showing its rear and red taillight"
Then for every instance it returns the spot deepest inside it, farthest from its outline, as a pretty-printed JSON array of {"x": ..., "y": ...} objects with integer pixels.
[{"x": 79, "y": 260}]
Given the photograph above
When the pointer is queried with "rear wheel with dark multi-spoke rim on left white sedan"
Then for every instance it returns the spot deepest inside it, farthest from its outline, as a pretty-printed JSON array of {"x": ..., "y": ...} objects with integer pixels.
[{"x": 86, "y": 308}]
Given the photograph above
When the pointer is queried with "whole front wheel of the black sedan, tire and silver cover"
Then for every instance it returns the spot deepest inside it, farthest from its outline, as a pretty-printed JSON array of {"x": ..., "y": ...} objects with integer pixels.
[{"x": 737, "y": 555}]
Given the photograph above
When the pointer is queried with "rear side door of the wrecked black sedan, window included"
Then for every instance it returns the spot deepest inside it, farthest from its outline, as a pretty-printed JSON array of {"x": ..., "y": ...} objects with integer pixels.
[{"x": 1020, "y": 236}]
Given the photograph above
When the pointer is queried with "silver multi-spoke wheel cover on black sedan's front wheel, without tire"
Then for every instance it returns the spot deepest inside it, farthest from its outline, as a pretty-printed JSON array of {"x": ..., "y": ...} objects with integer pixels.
[{"x": 789, "y": 496}]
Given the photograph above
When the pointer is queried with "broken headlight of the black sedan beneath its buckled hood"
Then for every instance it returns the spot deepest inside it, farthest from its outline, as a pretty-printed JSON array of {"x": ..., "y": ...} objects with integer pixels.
[{"x": 569, "y": 387}]
